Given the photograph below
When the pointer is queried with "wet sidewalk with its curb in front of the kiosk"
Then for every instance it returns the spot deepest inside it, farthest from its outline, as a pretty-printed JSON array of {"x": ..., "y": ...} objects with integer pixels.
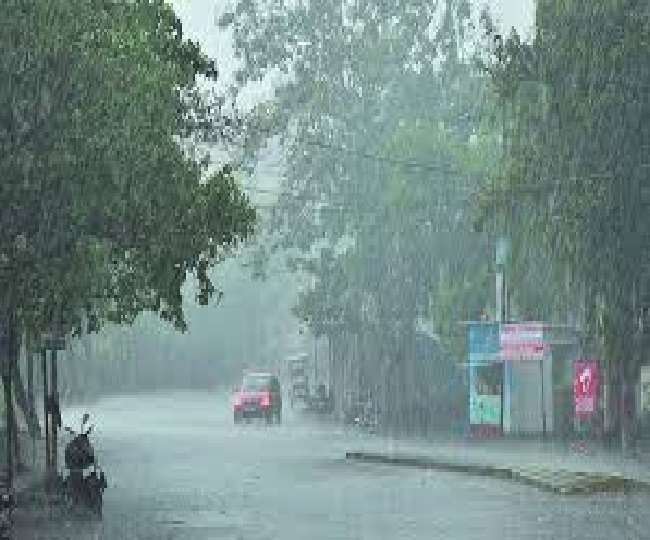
[{"x": 547, "y": 465}]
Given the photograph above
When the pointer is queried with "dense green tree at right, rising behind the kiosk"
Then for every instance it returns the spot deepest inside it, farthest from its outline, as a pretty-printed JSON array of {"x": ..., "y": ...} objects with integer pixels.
[{"x": 578, "y": 105}]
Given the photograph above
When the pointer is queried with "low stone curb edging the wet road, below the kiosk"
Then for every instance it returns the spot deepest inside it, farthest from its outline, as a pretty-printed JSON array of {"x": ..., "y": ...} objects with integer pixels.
[{"x": 560, "y": 481}]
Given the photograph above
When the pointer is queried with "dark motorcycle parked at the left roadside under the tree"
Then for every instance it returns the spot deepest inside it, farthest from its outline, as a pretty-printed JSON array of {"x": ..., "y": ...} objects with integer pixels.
[{"x": 84, "y": 485}]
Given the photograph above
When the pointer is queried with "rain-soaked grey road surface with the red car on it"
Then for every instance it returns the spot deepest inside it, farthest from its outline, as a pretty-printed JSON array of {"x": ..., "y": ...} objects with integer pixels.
[{"x": 179, "y": 469}]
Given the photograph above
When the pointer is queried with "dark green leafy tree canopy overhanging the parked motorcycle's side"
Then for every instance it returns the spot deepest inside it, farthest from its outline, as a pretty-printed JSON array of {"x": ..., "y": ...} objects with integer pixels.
[{"x": 108, "y": 205}]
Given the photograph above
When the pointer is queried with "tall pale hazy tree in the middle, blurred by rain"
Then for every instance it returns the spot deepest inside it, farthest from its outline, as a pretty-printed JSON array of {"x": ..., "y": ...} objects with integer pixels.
[{"x": 381, "y": 120}]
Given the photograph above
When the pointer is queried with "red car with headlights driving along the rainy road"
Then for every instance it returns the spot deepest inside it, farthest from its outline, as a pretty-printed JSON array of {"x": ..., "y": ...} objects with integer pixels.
[{"x": 260, "y": 396}]
